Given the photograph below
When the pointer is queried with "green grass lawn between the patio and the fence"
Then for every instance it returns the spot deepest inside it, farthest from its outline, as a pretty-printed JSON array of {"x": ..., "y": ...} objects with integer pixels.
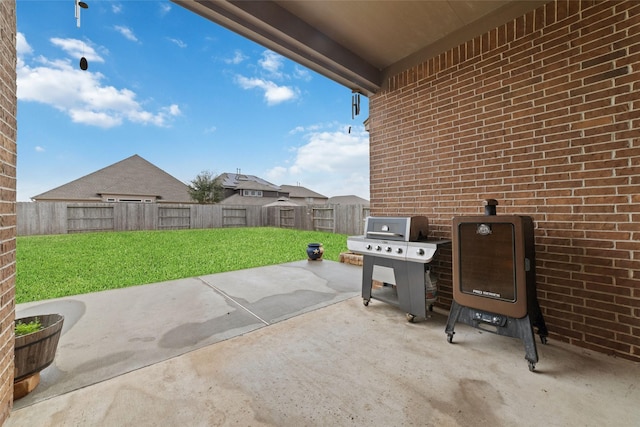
[{"x": 72, "y": 264}]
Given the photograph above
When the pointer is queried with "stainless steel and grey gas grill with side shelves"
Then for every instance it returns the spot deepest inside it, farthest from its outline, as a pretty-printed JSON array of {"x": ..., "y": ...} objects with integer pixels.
[{"x": 397, "y": 253}]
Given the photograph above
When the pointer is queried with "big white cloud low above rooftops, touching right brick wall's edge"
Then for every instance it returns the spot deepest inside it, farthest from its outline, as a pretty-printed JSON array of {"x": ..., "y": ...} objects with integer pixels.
[{"x": 331, "y": 162}]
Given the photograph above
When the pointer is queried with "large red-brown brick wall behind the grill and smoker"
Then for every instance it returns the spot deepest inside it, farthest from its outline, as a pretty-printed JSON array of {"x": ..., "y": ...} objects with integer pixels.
[{"x": 541, "y": 114}]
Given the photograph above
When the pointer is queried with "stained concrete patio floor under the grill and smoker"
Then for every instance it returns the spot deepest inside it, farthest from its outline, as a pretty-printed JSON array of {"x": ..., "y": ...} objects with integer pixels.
[{"x": 293, "y": 345}]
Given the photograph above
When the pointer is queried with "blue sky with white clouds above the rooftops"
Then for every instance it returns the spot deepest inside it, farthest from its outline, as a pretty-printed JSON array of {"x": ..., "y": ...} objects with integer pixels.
[{"x": 182, "y": 92}]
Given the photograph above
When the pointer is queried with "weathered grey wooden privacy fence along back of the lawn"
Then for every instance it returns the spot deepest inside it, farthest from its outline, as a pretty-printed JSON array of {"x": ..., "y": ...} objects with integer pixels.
[{"x": 62, "y": 218}]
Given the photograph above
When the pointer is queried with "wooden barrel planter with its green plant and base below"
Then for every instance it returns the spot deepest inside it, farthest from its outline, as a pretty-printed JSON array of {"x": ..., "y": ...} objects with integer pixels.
[{"x": 36, "y": 342}]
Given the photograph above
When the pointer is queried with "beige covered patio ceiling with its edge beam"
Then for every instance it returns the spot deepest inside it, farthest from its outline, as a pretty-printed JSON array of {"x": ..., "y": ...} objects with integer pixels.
[{"x": 358, "y": 43}]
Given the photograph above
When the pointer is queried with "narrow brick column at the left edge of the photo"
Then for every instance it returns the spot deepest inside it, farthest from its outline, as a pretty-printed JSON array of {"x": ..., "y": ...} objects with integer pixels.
[{"x": 8, "y": 134}]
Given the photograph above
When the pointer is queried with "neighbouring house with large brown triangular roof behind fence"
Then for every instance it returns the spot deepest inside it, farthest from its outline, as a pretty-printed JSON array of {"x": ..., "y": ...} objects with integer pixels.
[{"x": 130, "y": 180}]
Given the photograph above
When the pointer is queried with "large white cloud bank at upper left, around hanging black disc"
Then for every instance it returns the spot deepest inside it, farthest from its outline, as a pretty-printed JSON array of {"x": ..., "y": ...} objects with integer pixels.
[{"x": 81, "y": 94}]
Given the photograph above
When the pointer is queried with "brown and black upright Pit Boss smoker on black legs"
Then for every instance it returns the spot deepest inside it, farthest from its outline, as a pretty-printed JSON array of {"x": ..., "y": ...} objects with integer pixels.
[{"x": 494, "y": 278}]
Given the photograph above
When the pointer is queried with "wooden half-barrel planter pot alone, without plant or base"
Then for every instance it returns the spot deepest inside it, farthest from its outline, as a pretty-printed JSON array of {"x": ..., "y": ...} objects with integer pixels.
[{"x": 36, "y": 351}]
